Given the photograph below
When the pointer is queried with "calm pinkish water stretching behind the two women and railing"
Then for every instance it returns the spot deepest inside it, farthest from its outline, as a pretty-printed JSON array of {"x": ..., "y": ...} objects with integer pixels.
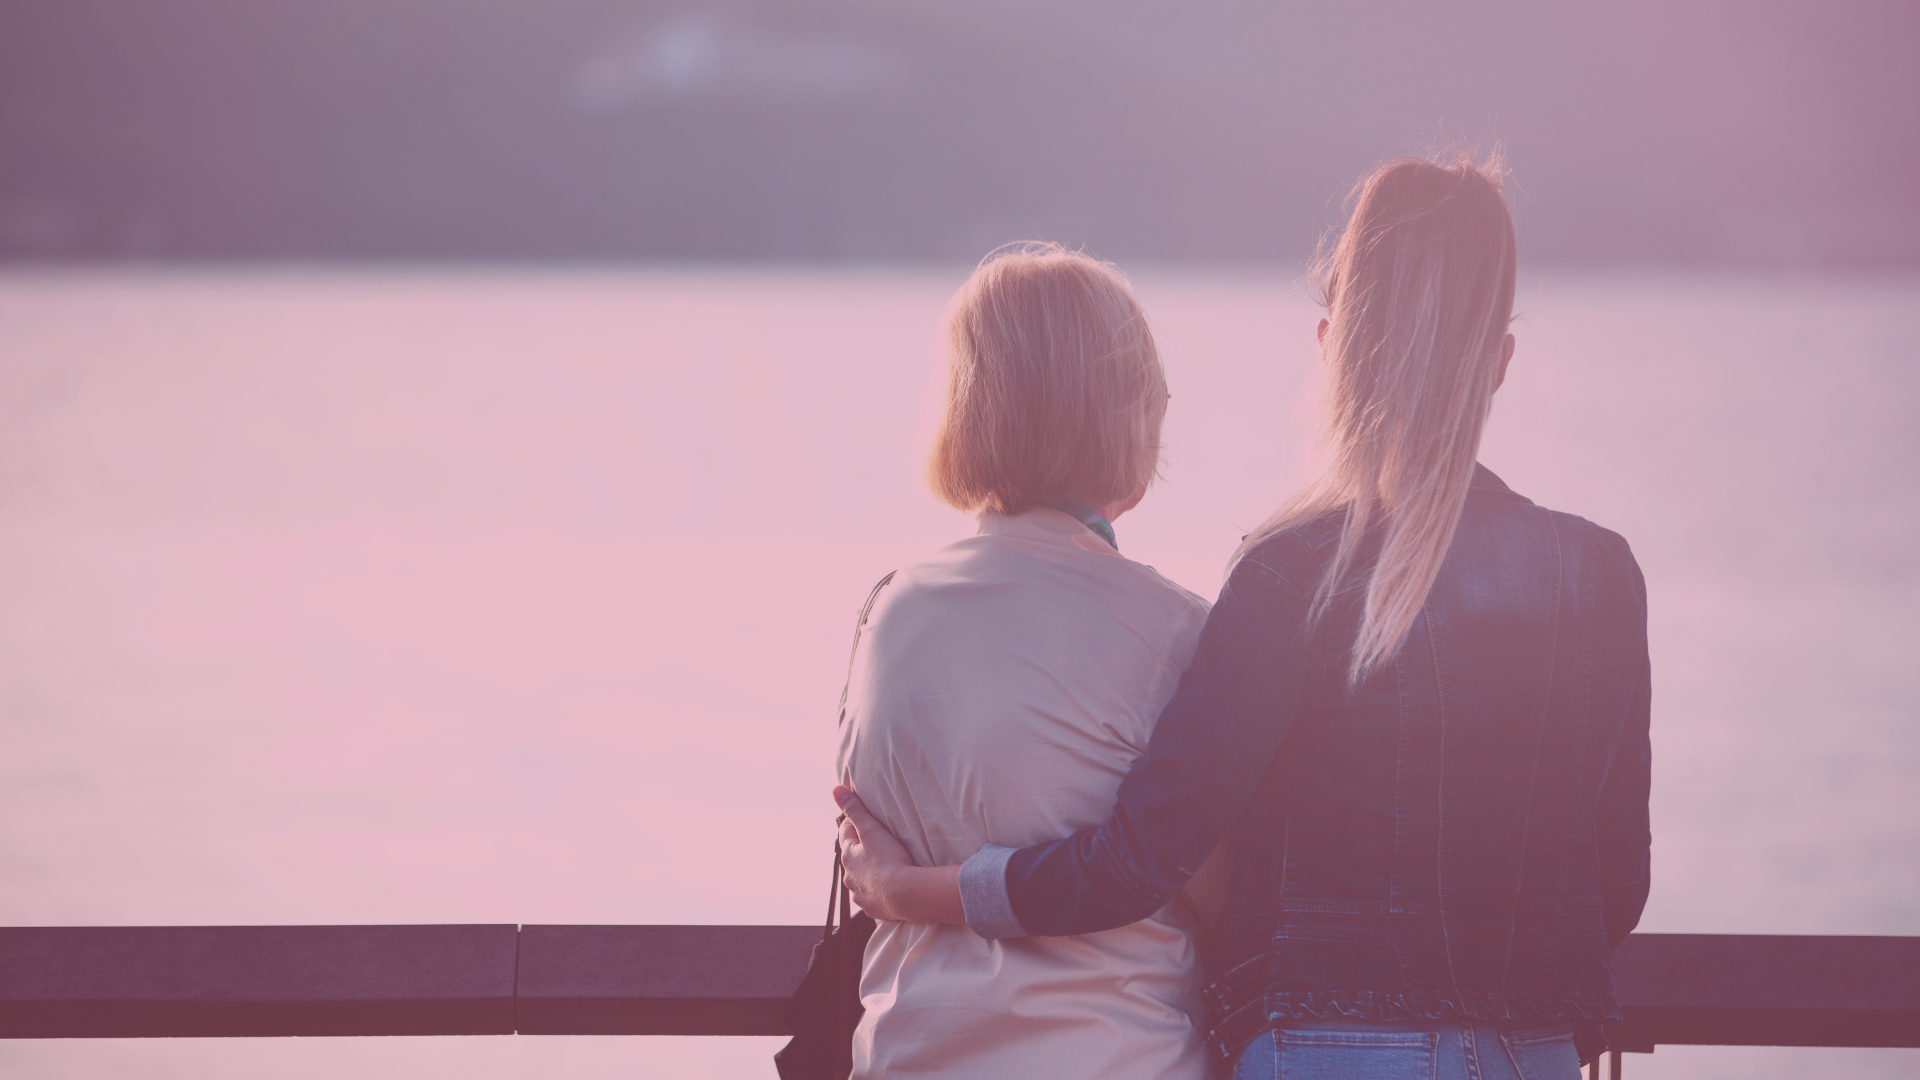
[{"x": 523, "y": 597}]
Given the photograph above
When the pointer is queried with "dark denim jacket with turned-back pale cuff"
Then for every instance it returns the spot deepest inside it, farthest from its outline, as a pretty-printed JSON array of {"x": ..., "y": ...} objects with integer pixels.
[{"x": 1462, "y": 837}]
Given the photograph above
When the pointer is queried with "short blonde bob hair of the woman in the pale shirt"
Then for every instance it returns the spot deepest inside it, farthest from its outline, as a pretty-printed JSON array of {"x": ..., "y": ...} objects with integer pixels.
[{"x": 1055, "y": 391}]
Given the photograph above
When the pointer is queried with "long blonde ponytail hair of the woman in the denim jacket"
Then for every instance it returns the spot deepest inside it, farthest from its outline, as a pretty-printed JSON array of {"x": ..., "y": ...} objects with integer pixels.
[{"x": 1420, "y": 293}]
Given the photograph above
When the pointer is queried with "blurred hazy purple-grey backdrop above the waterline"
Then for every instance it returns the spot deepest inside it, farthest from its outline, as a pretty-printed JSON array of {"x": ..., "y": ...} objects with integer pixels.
[{"x": 863, "y": 130}]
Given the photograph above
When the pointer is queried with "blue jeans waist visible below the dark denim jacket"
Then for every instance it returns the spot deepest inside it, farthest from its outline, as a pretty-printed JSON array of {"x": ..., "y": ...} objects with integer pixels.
[{"x": 1410, "y": 1050}]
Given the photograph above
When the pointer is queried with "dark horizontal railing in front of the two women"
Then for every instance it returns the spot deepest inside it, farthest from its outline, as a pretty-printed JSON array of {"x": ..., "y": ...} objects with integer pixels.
[{"x": 732, "y": 981}]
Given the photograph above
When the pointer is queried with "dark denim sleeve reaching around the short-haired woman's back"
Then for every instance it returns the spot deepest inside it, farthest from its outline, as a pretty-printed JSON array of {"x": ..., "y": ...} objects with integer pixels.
[{"x": 1209, "y": 752}]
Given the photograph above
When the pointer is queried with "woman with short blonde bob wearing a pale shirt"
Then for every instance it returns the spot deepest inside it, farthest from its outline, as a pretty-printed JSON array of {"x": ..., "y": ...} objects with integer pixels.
[{"x": 1005, "y": 685}]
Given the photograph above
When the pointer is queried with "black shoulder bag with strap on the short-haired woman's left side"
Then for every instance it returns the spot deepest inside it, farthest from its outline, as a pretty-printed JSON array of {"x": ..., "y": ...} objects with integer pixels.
[{"x": 827, "y": 1008}]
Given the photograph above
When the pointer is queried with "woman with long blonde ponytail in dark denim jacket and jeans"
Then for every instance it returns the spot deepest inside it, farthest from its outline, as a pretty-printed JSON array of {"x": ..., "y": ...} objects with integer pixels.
[{"x": 1414, "y": 733}]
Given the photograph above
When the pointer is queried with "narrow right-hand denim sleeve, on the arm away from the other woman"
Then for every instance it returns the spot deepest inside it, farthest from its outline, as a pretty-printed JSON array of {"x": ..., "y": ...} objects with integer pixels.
[{"x": 1621, "y": 816}]
